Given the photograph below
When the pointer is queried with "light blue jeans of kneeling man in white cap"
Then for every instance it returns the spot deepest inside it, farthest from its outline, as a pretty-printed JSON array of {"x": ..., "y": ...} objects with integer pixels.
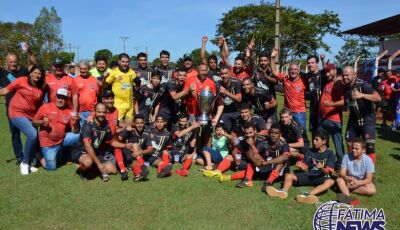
[{"x": 50, "y": 153}]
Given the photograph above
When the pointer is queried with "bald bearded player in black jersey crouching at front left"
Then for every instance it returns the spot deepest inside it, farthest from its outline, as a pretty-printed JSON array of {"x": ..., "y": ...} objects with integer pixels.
[{"x": 96, "y": 145}]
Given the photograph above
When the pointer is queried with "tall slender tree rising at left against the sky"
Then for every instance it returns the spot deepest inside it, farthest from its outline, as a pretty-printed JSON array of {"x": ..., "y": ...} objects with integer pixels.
[{"x": 47, "y": 32}]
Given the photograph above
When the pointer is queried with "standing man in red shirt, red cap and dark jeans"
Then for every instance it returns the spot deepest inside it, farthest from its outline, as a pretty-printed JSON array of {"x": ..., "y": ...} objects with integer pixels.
[{"x": 330, "y": 111}]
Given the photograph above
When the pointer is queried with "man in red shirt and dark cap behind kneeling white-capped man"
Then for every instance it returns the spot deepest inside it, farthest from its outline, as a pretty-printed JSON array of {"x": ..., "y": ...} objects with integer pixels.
[{"x": 61, "y": 80}]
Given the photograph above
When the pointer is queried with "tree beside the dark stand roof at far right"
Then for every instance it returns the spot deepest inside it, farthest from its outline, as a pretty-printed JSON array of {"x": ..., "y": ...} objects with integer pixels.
[{"x": 364, "y": 47}]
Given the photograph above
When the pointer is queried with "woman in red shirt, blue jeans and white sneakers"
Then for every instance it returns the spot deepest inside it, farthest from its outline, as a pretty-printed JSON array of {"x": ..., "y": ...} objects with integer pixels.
[{"x": 28, "y": 97}]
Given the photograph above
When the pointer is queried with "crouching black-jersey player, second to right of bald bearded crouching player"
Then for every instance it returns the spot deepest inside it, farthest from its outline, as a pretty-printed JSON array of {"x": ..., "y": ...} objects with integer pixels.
[{"x": 161, "y": 140}]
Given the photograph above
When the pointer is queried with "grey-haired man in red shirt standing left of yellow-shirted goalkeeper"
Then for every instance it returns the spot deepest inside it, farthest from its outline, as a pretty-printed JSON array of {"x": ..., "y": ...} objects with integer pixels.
[{"x": 88, "y": 89}]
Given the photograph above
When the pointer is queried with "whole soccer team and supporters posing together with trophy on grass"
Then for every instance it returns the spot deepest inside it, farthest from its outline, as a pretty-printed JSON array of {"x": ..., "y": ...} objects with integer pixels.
[{"x": 110, "y": 120}]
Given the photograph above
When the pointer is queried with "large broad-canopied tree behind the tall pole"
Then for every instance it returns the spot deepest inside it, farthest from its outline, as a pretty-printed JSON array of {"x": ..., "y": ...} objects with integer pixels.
[{"x": 301, "y": 33}]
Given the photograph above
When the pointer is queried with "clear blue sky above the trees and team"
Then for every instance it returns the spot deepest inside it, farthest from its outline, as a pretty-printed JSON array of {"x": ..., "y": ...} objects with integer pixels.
[{"x": 174, "y": 25}]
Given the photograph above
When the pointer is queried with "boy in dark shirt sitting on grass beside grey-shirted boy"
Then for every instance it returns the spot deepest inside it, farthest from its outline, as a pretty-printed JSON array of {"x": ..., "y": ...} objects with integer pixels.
[{"x": 318, "y": 164}]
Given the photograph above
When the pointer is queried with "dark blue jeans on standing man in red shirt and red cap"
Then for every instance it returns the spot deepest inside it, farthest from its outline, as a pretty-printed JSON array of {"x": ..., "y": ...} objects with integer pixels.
[{"x": 335, "y": 131}]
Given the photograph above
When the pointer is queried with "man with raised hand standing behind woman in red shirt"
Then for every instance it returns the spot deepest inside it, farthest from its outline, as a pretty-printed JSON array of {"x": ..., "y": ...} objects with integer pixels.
[{"x": 7, "y": 75}]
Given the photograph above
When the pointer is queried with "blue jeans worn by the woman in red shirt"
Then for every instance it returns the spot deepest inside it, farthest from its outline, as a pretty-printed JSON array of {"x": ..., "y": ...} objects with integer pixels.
[{"x": 26, "y": 127}]
